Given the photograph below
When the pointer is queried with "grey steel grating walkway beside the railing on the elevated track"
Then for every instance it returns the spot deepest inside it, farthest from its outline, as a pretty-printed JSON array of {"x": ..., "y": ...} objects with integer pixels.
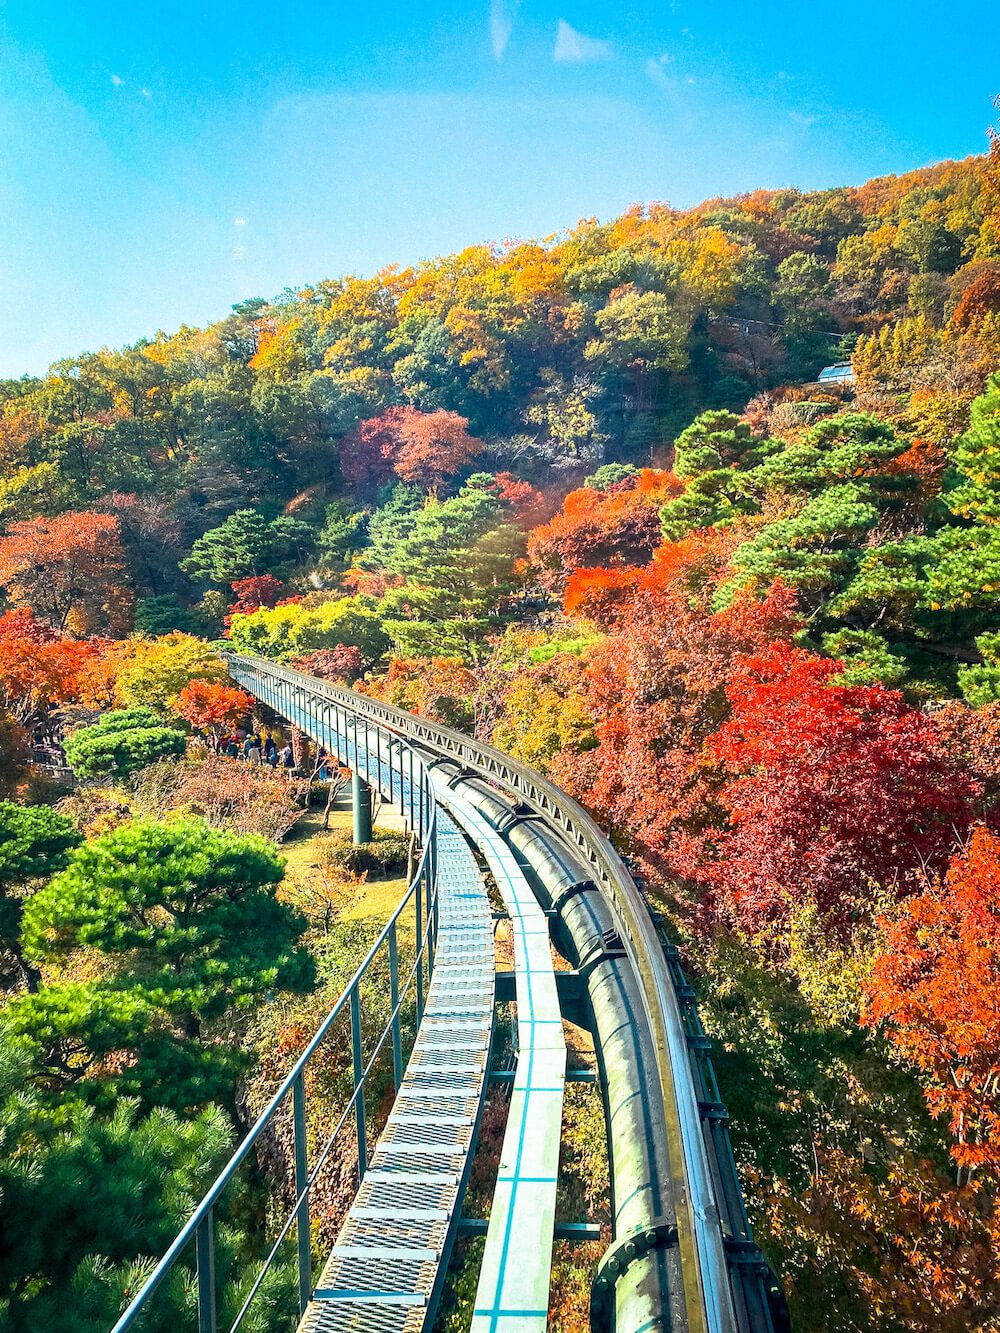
[{"x": 390, "y": 1252}]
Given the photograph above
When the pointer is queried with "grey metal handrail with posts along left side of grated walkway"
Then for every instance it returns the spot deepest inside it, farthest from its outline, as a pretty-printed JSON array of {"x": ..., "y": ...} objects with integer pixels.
[{"x": 199, "y": 1228}]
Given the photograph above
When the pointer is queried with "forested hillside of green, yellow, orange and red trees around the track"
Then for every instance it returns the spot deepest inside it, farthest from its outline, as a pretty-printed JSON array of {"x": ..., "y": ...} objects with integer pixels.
[{"x": 585, "y": 499}]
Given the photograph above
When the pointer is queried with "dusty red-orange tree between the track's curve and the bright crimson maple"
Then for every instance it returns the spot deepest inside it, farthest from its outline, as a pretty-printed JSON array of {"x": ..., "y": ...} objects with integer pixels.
[{"x": 657, "y": 687}]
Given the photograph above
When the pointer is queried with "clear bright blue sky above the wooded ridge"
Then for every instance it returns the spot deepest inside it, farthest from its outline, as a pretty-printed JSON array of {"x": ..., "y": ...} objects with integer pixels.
[{"x": 163, "y": 161}]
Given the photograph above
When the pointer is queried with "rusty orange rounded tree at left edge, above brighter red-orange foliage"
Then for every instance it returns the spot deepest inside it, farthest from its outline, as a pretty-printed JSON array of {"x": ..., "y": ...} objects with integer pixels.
[{"x": 69, "y": 570}]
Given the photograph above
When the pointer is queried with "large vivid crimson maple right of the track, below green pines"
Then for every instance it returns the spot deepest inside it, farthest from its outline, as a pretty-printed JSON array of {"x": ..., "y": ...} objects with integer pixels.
[{"x": 830, "y": 790}]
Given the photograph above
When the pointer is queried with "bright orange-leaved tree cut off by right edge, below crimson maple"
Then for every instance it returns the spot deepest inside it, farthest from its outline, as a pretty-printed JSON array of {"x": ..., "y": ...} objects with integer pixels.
[{"x": 935, "y": 988}]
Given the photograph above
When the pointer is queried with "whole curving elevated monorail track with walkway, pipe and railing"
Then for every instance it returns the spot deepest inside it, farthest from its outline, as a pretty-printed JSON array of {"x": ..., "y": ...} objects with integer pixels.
[{"x": 417, "y": 1031}]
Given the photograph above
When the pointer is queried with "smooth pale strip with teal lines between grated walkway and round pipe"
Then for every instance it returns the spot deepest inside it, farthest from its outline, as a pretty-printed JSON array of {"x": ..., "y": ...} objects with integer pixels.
[{"x": 515, "y": 1276}]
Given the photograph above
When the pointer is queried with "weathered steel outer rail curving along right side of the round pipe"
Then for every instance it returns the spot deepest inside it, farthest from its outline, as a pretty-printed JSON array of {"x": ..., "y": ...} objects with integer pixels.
[{"x": 707, "y": 1292}]
